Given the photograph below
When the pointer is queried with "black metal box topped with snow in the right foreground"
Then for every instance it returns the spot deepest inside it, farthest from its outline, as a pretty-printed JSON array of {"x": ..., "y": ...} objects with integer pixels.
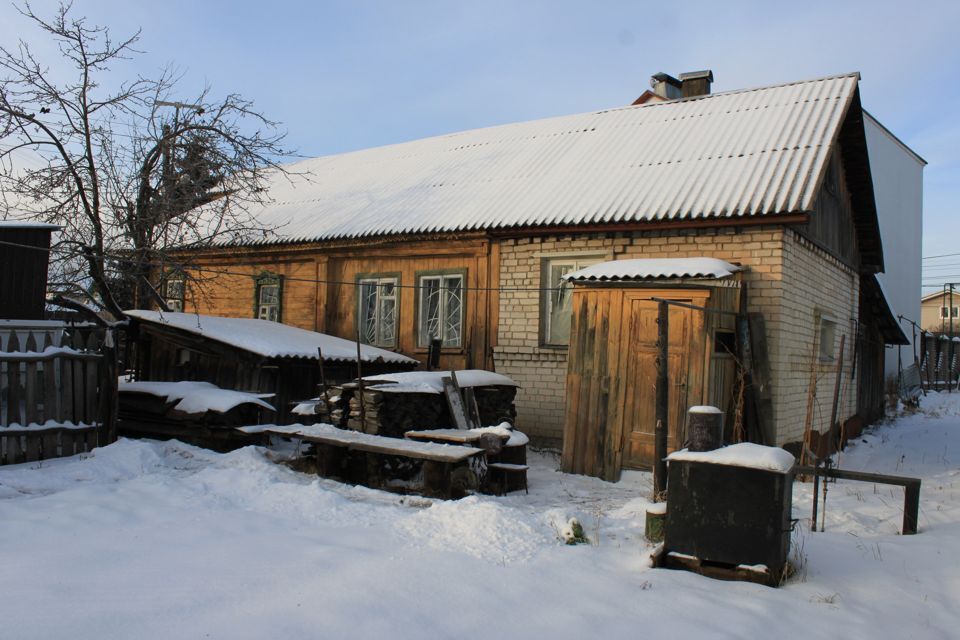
[{"x": 726, "y": 516}]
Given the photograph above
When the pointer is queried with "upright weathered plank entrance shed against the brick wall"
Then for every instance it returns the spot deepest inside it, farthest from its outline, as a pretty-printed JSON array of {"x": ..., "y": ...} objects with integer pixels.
[{"x": 611, "y": 368}]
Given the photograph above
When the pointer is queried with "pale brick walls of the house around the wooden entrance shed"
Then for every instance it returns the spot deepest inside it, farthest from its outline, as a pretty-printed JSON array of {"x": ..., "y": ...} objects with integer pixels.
[{"x": 788, "y": 280}]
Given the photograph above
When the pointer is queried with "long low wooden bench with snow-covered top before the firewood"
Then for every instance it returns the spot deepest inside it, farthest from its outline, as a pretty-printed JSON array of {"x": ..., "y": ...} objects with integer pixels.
[{"x": 334, "y": 446}]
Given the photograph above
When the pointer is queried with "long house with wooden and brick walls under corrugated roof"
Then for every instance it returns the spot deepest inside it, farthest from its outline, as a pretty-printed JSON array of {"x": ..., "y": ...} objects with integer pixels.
[{"x": 470, "y": 239}]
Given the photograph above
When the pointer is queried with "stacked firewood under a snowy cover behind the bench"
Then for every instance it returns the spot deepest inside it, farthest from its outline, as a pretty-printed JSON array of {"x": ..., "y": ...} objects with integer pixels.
[{"x": 392, "y": 414}]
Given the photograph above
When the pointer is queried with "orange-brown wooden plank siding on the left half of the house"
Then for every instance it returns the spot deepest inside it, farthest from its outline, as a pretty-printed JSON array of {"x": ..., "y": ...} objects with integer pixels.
[{"x": 320, "y": 294}]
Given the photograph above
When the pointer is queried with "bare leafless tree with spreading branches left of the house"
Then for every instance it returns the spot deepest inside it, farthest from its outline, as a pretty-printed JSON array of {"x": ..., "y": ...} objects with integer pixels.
[{"x": 130, "y": 175}]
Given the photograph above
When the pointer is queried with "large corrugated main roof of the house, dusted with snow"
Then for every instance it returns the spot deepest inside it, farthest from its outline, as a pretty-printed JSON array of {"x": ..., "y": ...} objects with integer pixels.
[{"x": 742, "y": 153}]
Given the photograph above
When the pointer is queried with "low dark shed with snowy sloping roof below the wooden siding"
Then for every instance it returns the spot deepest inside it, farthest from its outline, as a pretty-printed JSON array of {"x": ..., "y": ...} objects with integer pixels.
[{"x": 246, "y": 354}]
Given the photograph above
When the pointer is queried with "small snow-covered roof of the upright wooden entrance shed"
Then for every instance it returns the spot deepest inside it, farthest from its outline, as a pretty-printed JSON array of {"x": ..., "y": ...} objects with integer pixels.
[{"x": 651, "y": 268}]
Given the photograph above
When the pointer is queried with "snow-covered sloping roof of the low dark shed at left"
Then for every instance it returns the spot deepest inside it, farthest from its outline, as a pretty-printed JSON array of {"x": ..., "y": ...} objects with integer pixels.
[{"x": 269, "y": 339}]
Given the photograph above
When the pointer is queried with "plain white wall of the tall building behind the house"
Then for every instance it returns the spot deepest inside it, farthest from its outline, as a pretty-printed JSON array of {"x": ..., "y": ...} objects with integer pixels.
[{"x": 898, "y": 189}]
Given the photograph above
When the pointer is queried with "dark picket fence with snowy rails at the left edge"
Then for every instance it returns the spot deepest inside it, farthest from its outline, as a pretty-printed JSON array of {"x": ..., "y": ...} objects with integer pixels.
[{"x": 58, "y": 393}]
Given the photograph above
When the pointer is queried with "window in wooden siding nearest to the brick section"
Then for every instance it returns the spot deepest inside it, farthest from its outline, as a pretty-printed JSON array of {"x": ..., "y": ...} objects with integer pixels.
[{"x": 440, "y": 309}]
